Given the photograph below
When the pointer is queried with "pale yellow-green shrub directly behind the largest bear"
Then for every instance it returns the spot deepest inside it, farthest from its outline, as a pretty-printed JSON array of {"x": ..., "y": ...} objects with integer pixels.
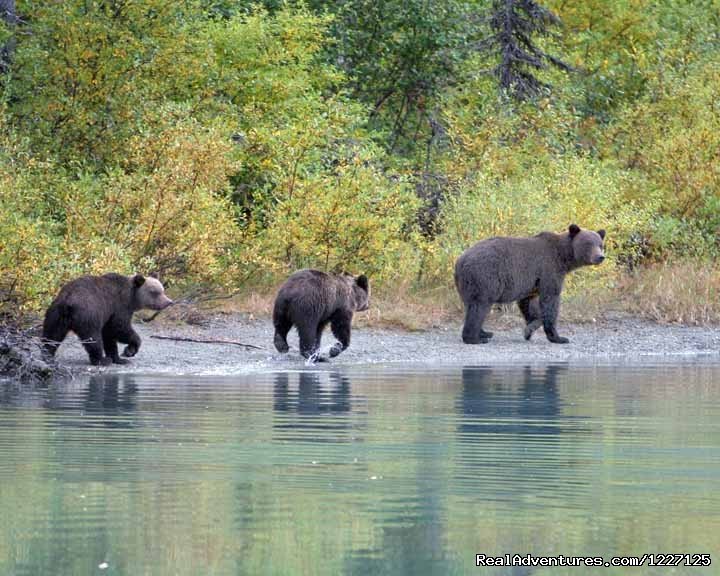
[{"x": 548, "y": 197}]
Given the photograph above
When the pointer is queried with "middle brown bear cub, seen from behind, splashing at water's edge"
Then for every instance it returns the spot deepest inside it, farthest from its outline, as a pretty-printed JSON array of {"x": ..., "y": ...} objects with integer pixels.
[{"x": 310, "y": 300}]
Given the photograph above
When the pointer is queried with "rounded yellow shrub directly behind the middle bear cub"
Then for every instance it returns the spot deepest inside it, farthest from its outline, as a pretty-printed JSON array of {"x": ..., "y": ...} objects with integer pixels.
[{"x": 351, "y": 218}]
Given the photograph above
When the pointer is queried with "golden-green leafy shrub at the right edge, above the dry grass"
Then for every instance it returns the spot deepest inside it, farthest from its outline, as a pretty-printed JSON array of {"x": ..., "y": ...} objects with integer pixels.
[{"x": 673, "y": 139}]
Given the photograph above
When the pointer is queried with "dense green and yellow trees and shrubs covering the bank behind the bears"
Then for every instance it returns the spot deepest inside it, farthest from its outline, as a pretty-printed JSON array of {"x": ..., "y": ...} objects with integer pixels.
[{"x": 223, "y": 142}]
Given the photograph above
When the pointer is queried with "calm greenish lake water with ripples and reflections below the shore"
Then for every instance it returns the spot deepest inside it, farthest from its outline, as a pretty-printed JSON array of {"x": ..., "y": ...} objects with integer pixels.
[{"x": 361, "y": 471}]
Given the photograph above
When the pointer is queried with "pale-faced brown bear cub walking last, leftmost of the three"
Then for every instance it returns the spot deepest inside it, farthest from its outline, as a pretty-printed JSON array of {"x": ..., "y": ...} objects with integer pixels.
[{"x": 99, "y": 310}]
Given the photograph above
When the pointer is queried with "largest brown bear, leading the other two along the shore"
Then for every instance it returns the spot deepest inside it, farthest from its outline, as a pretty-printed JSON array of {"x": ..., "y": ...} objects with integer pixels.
[{"x": 529, "y": 271}]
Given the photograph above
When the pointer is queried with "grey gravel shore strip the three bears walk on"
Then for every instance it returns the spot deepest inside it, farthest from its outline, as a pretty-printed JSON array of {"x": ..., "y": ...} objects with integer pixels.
[{"x": 619, "y": 339}]
